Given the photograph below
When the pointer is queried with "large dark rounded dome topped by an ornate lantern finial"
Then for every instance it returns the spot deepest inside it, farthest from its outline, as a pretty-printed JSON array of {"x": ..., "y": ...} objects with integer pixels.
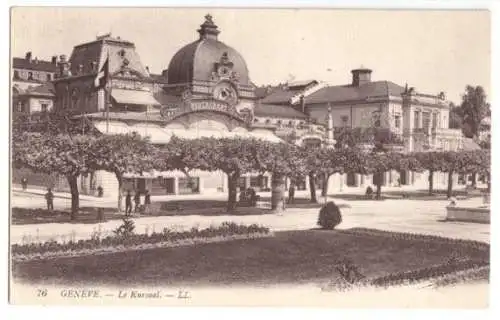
[{"x": 196, "y": 61}]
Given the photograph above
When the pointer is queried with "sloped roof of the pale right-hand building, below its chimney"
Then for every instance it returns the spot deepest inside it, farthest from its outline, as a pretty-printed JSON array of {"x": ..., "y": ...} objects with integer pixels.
[{"x": 349, "y": 92}]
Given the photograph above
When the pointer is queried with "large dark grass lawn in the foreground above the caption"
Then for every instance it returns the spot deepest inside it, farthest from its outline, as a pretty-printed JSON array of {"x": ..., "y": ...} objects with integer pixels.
[{"x": 292, "y": 257}]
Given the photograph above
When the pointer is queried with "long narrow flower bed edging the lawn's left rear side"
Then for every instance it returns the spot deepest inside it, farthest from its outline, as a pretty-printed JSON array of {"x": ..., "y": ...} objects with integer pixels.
[{"x": 168, "y": 238}]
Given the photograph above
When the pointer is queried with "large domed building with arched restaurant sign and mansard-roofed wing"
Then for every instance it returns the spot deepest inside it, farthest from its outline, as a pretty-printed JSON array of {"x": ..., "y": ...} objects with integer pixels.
[{"x": 205, "y": 92}]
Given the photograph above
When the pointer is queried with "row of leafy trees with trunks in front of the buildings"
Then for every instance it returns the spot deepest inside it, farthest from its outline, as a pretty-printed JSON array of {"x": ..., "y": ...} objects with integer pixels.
[{"x": 79, "y": 154}]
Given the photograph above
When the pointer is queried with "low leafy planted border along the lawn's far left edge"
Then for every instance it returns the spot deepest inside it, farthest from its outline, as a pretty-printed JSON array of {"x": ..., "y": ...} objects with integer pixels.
[{"x": 224, "y": 230}]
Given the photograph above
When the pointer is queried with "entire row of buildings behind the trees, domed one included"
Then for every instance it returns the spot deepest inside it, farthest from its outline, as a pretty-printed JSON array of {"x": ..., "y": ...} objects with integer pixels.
[{"x": 206, "y": 91}]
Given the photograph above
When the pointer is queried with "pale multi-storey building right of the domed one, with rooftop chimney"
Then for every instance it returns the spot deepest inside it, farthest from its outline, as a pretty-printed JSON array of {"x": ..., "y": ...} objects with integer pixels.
[{"x": 419, "y": 120}]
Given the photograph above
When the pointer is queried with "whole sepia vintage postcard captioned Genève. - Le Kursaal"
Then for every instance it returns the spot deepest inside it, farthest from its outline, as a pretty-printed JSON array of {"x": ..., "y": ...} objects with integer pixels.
[{"x": 250, "y": 157}]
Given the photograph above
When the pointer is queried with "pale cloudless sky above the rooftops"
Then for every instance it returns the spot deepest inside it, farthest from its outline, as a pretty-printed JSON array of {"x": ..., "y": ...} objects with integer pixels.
[{"x": 432, "y": 51}]
